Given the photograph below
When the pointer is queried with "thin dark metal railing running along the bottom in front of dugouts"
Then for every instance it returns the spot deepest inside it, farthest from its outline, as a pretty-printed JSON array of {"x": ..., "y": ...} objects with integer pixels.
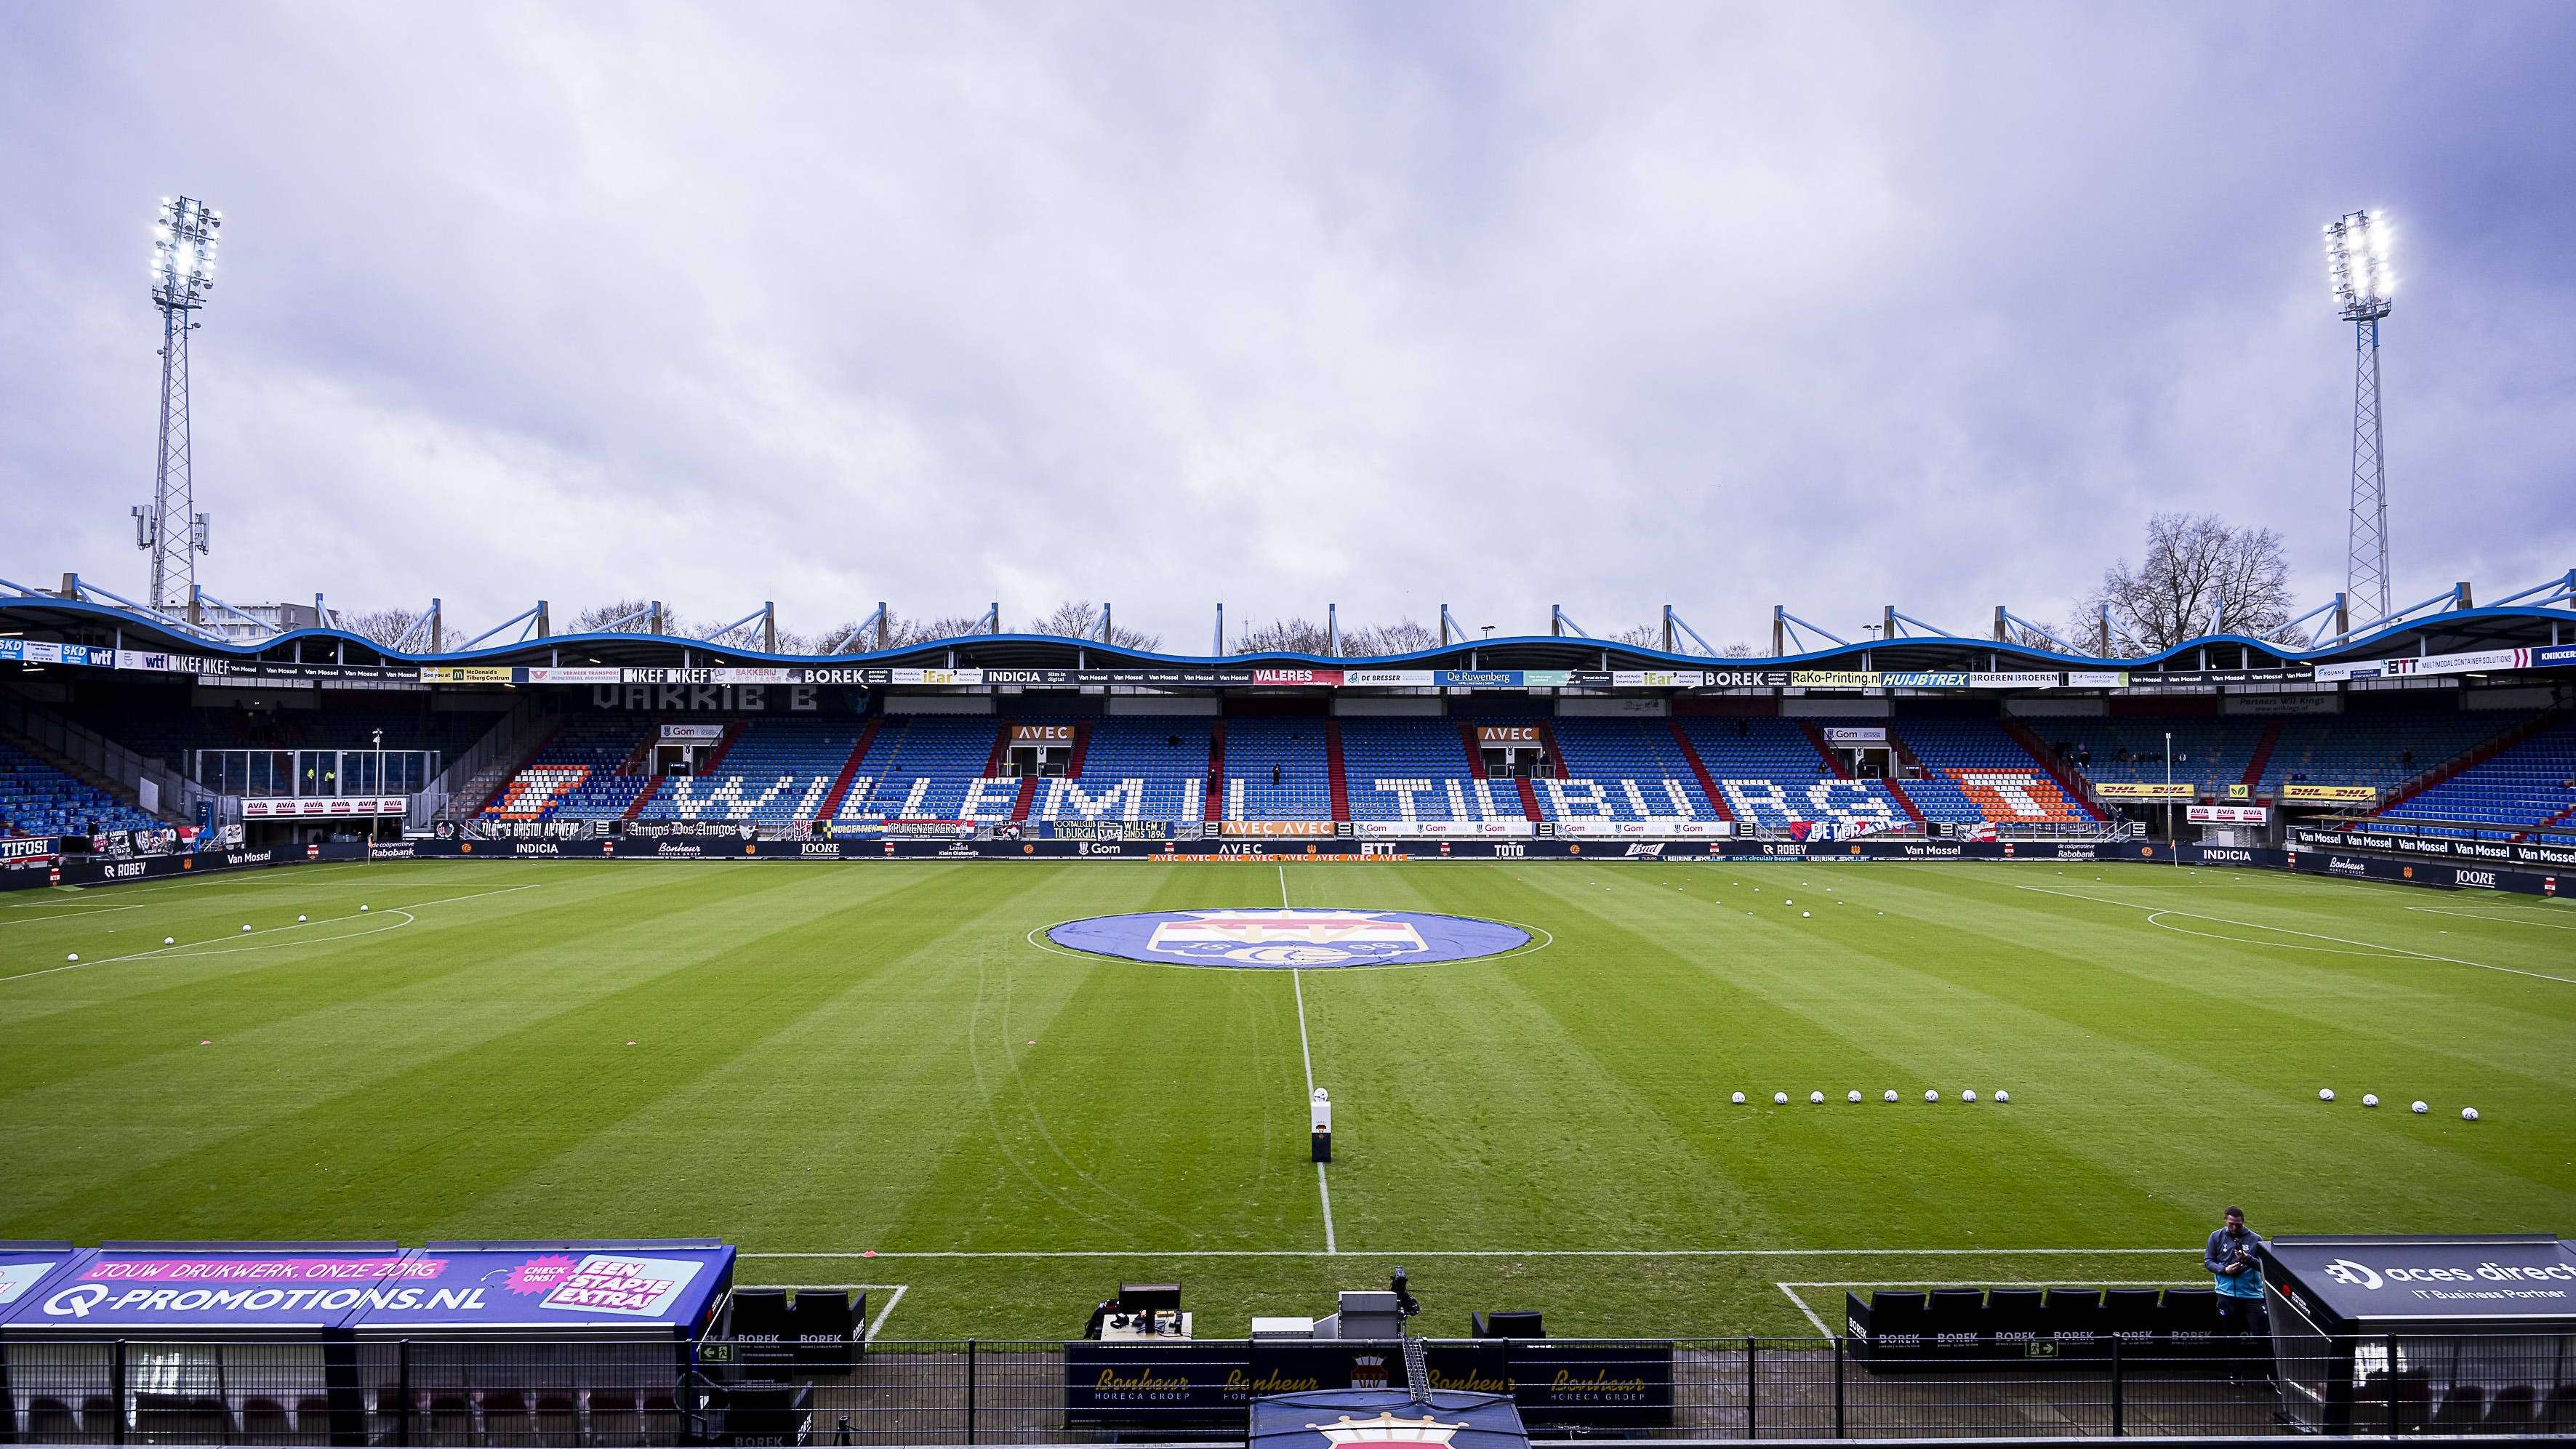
[{"x": 645, "y": 1394}]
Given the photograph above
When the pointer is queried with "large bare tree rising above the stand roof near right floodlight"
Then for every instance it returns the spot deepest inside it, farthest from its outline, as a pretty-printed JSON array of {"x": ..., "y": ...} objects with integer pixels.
[{"x": 2199, "y": 573}]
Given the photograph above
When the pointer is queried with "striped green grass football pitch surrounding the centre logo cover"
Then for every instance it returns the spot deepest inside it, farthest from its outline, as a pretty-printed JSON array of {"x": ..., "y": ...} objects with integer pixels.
[{"x": 844, "y": 1059}]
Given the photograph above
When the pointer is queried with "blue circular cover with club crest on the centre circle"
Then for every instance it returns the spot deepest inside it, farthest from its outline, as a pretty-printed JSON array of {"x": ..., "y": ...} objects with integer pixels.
[{"x": 1289, "y": 938}]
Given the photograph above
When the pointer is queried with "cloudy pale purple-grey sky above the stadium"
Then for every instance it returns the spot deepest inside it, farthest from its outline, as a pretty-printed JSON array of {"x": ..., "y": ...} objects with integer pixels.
[{"x": 1379, "y": 305}]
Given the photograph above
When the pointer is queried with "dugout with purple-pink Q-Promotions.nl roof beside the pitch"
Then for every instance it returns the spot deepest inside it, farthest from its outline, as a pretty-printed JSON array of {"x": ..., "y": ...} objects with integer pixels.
[{"x": 336, "y": 1342}]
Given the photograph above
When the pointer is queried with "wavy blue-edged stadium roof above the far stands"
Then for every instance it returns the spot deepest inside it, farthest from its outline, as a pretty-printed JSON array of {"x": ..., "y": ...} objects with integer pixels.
[{"x": 2443, "y": 632}]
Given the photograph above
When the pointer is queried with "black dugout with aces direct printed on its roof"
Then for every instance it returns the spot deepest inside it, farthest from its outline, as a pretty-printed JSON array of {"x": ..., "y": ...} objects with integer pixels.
[{"x": 2425, "y": 1334}]
